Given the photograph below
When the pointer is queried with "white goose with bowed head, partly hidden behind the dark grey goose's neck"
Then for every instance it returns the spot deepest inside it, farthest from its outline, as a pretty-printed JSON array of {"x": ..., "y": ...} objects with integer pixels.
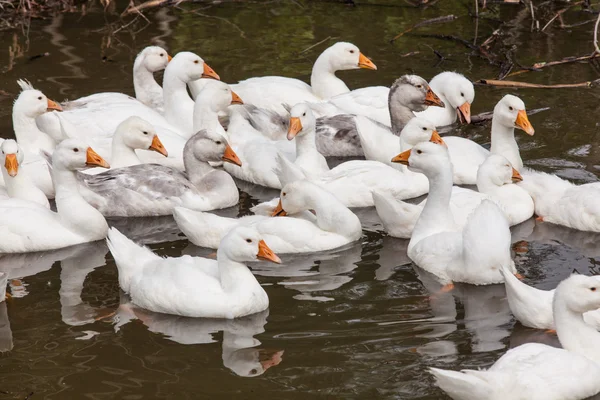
[{"x": 455, "y": 91}]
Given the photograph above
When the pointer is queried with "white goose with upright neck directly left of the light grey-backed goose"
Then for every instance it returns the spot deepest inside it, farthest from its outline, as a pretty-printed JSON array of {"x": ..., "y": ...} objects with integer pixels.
[{"x": 27, "y": 226}]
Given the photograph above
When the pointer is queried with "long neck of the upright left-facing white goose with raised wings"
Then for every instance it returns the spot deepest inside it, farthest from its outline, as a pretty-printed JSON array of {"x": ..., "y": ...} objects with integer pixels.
[{"x": 436, "y": 215}]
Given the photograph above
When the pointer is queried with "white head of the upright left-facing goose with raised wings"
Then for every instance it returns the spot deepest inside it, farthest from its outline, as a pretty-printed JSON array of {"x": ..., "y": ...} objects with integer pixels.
[{"x": 426, "y": 157}]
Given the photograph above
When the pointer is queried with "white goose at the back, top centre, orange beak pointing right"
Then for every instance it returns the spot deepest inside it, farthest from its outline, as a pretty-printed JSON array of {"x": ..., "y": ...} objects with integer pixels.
[{"x": 272, "y": 92}]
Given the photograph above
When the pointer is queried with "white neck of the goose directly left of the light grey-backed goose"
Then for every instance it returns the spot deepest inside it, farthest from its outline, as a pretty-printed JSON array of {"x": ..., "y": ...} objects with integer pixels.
[{"x": 75, "y": 213}]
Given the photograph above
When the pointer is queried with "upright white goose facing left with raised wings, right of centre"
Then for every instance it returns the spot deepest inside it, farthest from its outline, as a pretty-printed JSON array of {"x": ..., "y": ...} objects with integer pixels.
[{"x": 472, "y": 254}]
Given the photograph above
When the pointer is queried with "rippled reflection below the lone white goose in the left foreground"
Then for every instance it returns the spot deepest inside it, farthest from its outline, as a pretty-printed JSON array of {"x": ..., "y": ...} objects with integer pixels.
[{"x": 240, "y": 352}]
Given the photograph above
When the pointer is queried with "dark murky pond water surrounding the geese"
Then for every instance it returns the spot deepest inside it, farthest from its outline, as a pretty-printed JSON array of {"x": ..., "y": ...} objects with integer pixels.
[{"x": 354, "y": 323}]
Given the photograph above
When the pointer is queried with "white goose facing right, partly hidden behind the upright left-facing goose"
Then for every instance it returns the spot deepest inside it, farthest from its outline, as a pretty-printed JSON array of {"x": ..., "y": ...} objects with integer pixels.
[{"x": 496, "y": 180}]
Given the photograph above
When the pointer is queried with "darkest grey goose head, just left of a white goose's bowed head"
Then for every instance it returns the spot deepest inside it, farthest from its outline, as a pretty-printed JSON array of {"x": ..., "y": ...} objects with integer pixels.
[{"x": 413, "y": 92}]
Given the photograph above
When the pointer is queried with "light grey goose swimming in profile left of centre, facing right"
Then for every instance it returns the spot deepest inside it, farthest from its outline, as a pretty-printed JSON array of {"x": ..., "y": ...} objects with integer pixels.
[{"x": 151, "y": 189}]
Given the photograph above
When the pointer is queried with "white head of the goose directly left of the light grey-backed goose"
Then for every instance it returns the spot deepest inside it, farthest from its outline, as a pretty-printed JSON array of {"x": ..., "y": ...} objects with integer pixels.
[{"x": 74, "y": 155}]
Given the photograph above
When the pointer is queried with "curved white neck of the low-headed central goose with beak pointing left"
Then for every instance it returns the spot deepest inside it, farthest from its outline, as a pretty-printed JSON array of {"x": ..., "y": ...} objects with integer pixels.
[{"x": 333, "y": 216}]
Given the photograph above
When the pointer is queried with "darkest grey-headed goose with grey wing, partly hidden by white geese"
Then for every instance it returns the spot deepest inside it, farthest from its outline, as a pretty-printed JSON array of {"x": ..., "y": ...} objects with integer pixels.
[{"x": 339, "y": 135}]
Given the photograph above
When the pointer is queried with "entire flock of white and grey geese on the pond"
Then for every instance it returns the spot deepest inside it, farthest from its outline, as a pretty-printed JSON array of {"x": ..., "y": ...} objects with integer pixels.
[{"x": 165, "y": 152}]
